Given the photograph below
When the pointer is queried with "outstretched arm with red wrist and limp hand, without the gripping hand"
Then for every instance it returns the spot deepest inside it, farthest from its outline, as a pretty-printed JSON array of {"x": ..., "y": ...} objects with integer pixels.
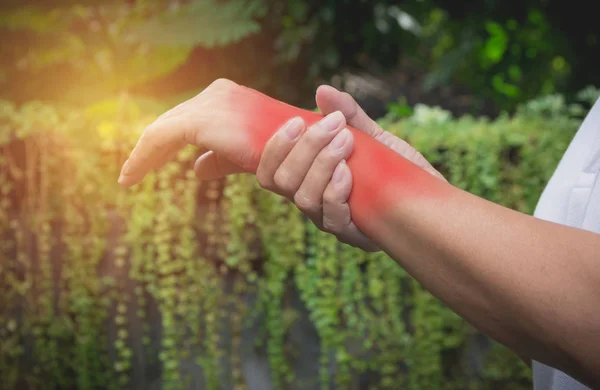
[{"x": 499, "y": 269}]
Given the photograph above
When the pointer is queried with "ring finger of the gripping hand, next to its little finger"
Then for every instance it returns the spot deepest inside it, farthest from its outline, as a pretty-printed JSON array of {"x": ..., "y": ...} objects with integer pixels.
[{"x": 309, "y": 197}]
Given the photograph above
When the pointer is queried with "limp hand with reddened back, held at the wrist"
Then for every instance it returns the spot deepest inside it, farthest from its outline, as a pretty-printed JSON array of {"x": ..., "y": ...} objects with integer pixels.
[{"x": 230, "y": 124}]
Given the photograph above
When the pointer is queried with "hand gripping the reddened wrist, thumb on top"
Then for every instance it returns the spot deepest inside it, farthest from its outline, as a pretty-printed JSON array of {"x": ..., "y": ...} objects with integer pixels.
[{"x": 308, "y": 167}]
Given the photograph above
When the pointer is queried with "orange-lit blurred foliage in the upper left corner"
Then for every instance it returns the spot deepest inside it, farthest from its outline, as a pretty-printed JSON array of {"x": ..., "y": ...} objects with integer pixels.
[{"x": 106, "y": 47}]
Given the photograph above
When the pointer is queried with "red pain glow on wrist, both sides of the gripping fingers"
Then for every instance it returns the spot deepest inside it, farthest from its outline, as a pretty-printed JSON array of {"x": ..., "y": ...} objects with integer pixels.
[{"x": 380, "y": 176}]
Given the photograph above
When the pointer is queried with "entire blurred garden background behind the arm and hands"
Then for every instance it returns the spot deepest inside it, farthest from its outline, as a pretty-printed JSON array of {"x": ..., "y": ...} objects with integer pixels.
[{"x": 221, "y": 285}]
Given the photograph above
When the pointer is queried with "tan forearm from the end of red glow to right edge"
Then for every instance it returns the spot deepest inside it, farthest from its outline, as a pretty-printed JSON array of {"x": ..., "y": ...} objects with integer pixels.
[{"x": 532, "y": 285}]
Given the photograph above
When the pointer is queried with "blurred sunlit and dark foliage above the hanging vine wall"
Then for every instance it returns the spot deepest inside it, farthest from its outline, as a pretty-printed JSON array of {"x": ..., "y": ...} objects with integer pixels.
[{"x": 491, "y": 55}]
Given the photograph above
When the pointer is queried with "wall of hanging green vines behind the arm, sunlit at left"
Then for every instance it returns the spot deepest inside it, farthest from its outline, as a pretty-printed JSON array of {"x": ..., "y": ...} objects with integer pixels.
[{"x": 83, "y": 262}]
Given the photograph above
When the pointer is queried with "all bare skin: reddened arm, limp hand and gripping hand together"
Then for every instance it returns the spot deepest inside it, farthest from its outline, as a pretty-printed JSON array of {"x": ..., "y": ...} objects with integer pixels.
[{"x": 497, "y": 268}]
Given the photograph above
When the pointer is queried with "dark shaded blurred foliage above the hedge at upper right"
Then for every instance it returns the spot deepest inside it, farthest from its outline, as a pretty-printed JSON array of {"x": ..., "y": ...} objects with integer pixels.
[{"x": 503, "y": 53}]
